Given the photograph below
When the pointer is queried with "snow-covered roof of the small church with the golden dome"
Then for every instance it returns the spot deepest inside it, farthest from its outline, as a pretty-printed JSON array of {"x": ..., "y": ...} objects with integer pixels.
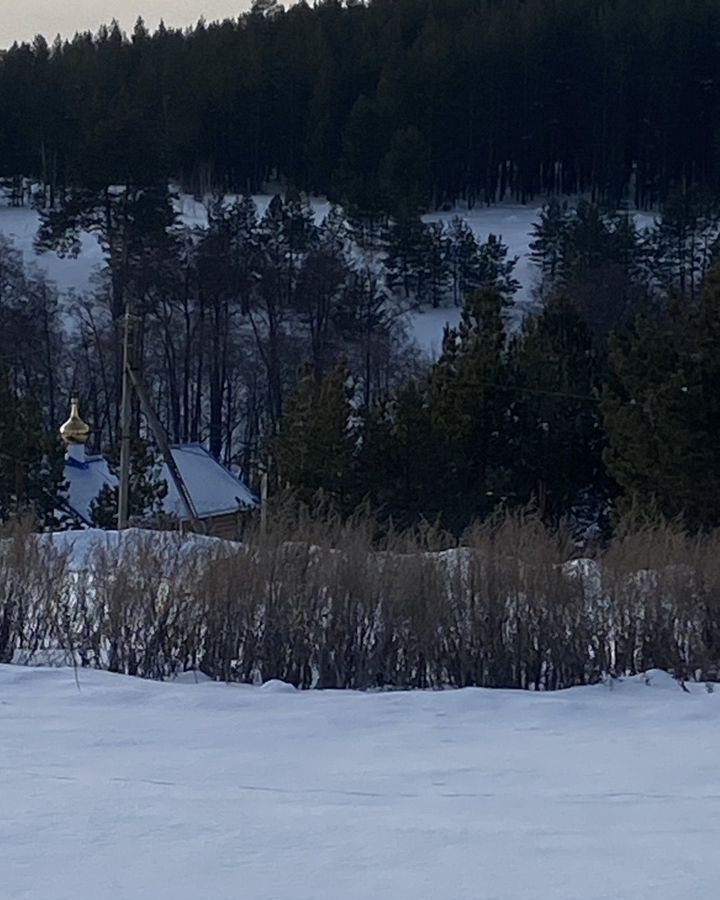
[{"x": 214, "y": 489}]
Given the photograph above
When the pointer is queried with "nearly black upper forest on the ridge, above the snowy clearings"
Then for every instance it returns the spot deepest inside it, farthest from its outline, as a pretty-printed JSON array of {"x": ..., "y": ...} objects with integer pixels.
[{"x": 380, "y": 104}]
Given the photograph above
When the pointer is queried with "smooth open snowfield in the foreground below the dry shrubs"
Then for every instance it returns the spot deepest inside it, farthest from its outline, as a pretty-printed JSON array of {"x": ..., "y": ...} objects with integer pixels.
[{"x": 130, "y": 790}]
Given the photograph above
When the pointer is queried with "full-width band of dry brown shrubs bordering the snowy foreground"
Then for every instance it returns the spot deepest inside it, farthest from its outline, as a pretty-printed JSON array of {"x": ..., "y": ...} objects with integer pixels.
[{"x": 322, "y": 602}]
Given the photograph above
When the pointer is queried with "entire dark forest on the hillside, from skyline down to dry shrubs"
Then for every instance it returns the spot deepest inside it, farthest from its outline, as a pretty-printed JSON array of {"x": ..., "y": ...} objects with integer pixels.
[{"x": 279, "y": 336}]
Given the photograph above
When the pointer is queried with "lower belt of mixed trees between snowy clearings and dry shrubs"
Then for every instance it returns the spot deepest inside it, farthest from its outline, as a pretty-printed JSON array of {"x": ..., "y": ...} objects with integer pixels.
[{"x": 279, "y": 339}]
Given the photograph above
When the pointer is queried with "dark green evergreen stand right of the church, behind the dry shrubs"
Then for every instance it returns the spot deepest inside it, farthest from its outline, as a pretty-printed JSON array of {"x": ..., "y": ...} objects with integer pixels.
[{"x": 602, "y": 404}]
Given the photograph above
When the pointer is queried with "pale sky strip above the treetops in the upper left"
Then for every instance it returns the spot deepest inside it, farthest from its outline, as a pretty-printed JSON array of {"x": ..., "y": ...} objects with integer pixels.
[{"x": 23, "y": 19}]
